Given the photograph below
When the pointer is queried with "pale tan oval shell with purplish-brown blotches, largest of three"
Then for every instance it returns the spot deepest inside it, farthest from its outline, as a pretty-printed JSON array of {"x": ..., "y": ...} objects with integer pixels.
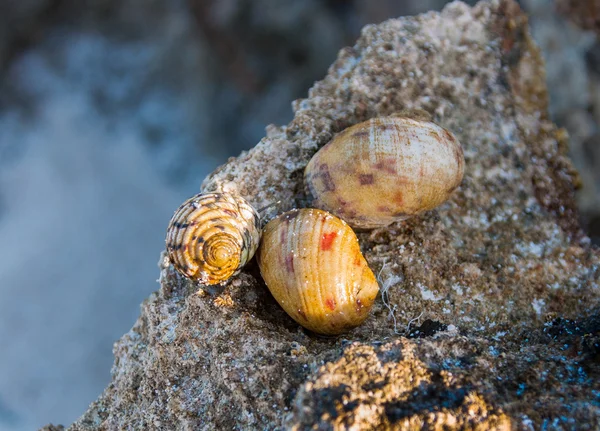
[{"x": 384, "y": 170}]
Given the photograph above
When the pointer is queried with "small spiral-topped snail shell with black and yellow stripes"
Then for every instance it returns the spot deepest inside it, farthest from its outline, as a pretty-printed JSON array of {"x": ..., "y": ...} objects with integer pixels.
[{"x": 212, "y": 236}]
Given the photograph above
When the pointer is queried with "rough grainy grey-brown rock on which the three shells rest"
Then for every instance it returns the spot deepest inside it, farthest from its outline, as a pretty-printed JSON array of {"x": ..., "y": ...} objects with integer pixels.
[{"x": 490, "y": 309}]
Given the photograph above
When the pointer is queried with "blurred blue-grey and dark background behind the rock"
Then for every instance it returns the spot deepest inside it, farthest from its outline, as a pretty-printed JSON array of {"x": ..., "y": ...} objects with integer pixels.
[{"x": 113, "y": 111}]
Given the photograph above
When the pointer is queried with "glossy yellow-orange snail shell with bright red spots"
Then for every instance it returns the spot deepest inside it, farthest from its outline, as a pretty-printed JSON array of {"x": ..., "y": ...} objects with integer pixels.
[{"x": 312, "y": 264}]
